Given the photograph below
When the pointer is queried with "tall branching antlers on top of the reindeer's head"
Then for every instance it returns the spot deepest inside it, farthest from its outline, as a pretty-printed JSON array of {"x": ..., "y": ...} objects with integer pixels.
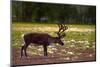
[{"x": 62, "y": 28}]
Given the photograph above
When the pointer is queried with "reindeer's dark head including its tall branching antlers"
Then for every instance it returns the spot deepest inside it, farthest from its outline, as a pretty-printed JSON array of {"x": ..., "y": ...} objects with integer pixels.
[{"x": 60, "y": 33}]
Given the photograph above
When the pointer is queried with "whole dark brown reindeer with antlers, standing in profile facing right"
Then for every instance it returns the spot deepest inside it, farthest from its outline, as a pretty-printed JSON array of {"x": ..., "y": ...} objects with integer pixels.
[{"x": 43, "y": 39}]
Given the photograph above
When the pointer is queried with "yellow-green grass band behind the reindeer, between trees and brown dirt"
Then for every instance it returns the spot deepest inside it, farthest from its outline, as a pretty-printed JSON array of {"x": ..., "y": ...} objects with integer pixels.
[{"x": 85, "y": 33}]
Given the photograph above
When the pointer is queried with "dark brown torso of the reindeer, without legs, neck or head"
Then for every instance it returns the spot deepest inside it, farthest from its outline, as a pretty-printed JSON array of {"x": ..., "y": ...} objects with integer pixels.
[{"x": 37, "y": 38}]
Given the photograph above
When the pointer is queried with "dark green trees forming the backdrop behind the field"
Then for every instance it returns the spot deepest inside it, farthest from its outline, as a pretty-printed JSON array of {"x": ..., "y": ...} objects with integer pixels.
[{"x": 34, "y": 11}]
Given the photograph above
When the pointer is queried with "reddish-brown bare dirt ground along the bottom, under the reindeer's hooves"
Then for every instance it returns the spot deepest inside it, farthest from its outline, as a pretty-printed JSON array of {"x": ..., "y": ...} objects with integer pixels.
[{"x": 56, "y": 57}]
